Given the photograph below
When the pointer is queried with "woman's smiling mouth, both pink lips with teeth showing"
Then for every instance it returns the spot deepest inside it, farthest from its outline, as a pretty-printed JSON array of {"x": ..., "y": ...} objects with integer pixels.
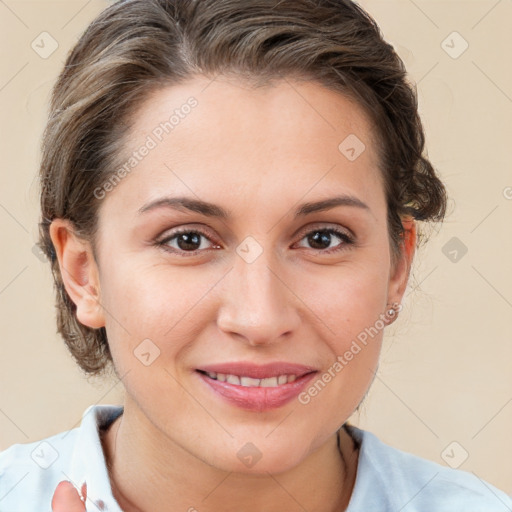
[{"x": 253, "y": 387}]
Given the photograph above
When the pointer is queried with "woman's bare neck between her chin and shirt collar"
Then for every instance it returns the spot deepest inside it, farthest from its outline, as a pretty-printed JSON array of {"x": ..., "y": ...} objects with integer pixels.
[{"x": 148, "y": 471}]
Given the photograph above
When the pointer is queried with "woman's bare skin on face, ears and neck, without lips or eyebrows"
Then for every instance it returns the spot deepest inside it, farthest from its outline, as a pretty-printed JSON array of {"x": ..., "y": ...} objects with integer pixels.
[{"x": 258, "y": 153}]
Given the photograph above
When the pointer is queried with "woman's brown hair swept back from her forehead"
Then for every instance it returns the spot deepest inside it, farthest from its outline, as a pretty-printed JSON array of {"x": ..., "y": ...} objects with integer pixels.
[{"x": 137, "y": 46}]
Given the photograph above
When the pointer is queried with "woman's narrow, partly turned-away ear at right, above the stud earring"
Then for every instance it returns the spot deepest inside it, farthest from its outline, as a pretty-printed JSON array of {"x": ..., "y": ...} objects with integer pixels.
[{"x": 400, "y": 272}]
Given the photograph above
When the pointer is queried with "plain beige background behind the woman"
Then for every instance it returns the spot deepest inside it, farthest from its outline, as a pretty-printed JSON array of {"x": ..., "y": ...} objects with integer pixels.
[{"x": 445, "y": 373}]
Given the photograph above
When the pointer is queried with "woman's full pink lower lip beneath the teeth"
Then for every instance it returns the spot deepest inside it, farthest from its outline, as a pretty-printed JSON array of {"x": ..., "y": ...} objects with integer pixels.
[{"x": 258, "y": 398}]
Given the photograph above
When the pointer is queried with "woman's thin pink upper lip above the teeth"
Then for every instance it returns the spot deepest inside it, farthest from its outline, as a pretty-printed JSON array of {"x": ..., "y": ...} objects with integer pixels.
[{"x": 257, "y": 371}]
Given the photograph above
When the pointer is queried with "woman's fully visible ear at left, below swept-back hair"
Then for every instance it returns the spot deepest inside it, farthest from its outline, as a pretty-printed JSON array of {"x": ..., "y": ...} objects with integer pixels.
[{"x": 79, "y": 272}]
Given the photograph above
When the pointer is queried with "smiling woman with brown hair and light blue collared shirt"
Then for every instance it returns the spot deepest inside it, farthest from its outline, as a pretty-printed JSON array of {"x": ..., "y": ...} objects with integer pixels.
[{"x": 230, "y": 196}]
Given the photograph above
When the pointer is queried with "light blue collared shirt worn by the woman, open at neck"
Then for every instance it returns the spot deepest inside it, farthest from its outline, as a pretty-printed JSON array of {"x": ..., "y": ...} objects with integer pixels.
[{"x": 387, "y": 480}]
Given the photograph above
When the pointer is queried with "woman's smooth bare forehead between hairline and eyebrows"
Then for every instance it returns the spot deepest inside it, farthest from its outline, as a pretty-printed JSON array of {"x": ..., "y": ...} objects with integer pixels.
[{"x": 285, "y": 139}]
